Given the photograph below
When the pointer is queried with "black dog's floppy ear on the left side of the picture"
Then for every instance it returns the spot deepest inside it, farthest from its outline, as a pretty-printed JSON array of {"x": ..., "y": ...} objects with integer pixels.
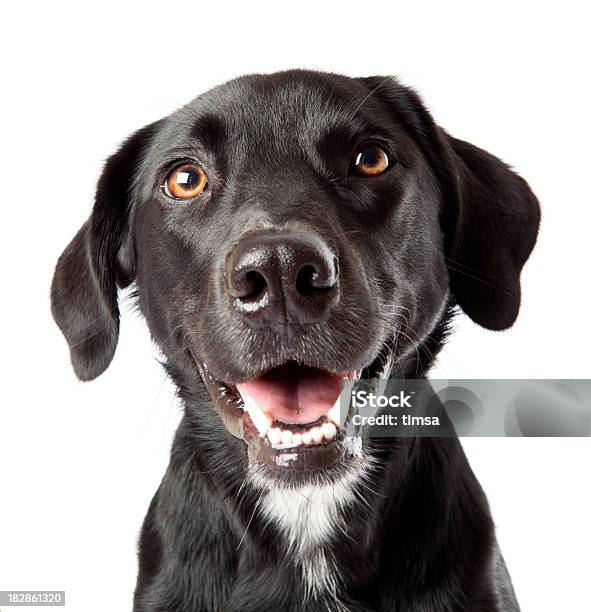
[{"x": 98, "y": 260}]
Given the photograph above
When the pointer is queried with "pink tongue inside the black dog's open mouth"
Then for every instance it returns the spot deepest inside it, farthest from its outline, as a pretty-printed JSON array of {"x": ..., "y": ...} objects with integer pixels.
[{"x": 294, "y": 394}]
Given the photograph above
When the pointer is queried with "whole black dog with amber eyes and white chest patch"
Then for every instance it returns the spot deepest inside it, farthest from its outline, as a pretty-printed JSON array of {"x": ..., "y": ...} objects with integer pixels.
[{"x": 287, "y": 232}]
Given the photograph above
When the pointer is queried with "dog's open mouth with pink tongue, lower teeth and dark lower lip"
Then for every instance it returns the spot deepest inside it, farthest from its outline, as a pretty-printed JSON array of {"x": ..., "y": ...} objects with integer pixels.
[{"x": 289, "y": 416}]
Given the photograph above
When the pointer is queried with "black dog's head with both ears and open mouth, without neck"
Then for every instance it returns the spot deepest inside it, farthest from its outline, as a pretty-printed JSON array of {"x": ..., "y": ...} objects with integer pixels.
[{"x": 287, "y": 232}]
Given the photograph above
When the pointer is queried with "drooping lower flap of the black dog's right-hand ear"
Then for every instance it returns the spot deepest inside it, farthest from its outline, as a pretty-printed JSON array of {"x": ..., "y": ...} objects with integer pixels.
[{"x": 496, "y": 225}]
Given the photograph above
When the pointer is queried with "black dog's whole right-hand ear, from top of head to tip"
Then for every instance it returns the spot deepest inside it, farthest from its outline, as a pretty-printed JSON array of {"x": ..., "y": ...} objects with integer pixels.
[{"x": 490, "y": 216}]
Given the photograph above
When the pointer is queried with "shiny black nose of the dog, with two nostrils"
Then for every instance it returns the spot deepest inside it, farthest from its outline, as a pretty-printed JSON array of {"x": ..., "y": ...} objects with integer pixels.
[{"x": 282, "y": 278}]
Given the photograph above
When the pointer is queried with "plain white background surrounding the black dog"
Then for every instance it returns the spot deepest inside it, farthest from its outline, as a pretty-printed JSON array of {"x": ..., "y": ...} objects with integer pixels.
[{"x": 80, "y": 462}]
